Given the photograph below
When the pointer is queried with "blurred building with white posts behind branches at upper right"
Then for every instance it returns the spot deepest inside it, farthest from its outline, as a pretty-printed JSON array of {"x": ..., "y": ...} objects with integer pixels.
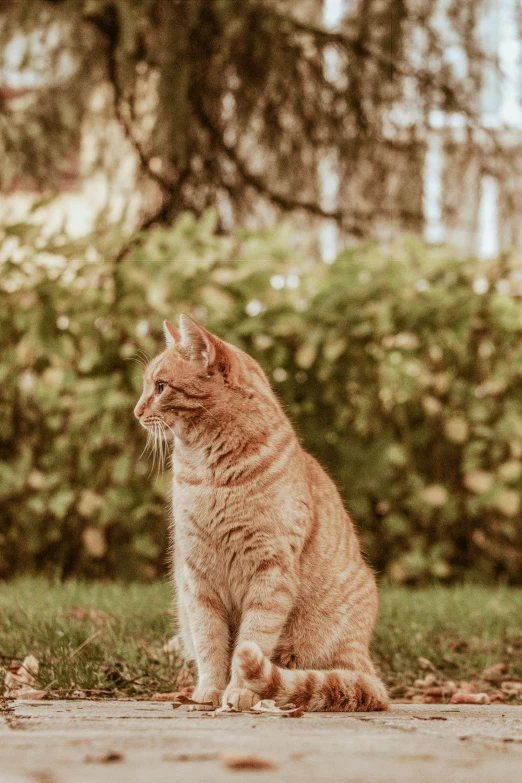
[{"x": 459, "y": 182}]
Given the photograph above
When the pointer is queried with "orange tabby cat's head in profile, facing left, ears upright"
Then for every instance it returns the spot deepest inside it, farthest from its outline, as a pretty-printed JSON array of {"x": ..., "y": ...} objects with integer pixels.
[{"x": 200, "y": 381}]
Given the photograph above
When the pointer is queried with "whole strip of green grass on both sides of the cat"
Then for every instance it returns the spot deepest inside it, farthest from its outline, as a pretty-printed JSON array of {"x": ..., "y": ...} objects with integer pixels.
[{"x": 116, "y": 649}]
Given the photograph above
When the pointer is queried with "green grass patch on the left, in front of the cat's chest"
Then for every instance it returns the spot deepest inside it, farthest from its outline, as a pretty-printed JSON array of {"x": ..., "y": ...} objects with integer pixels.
[{"x": 115, "y": 648}]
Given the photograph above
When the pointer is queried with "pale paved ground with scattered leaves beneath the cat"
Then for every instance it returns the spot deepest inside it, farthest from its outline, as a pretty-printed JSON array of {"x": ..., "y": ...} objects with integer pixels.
[{"x": 107, "y": 741}]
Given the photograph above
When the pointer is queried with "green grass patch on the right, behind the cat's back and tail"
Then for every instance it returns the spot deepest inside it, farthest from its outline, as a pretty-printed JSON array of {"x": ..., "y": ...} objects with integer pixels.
[{"x": 462, "y": 630}]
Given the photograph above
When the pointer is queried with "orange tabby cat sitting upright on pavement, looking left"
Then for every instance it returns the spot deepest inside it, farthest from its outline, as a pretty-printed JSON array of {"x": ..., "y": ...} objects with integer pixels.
[{"x": 275, "y": 600}]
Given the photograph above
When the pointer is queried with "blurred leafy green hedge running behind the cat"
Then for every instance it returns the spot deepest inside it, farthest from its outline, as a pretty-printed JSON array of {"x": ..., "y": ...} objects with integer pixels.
[{"x": 400, "y": 371}]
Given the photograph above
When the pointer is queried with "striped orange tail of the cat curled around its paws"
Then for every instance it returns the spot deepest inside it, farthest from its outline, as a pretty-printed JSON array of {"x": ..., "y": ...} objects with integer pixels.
[{"x": 335, "y": 690}]
